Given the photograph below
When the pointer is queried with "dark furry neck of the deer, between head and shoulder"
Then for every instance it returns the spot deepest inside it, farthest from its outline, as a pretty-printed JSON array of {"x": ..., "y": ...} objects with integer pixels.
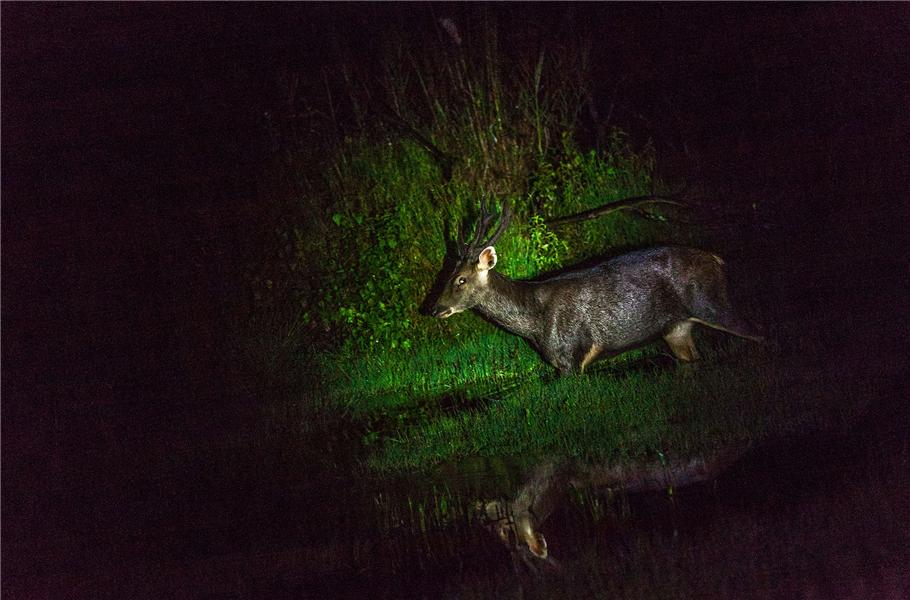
[{"x": 511, "y": 304}]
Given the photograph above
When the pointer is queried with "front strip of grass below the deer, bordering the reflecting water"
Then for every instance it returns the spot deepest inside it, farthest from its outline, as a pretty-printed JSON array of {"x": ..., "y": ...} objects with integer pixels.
[{"x": 639, "y": 414}]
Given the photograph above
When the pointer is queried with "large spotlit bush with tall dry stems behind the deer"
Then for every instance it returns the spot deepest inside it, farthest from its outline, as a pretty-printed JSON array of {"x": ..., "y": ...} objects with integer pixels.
[{"x": 412, "y": 159}]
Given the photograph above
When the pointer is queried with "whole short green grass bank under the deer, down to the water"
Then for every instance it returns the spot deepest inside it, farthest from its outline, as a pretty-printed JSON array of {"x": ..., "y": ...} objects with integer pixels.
[{"x": 492, "y": 396}]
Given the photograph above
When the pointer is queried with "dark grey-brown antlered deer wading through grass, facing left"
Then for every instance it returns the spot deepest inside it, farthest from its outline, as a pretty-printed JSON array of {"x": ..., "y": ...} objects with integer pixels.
[{"x": 579, "y": 316}]
